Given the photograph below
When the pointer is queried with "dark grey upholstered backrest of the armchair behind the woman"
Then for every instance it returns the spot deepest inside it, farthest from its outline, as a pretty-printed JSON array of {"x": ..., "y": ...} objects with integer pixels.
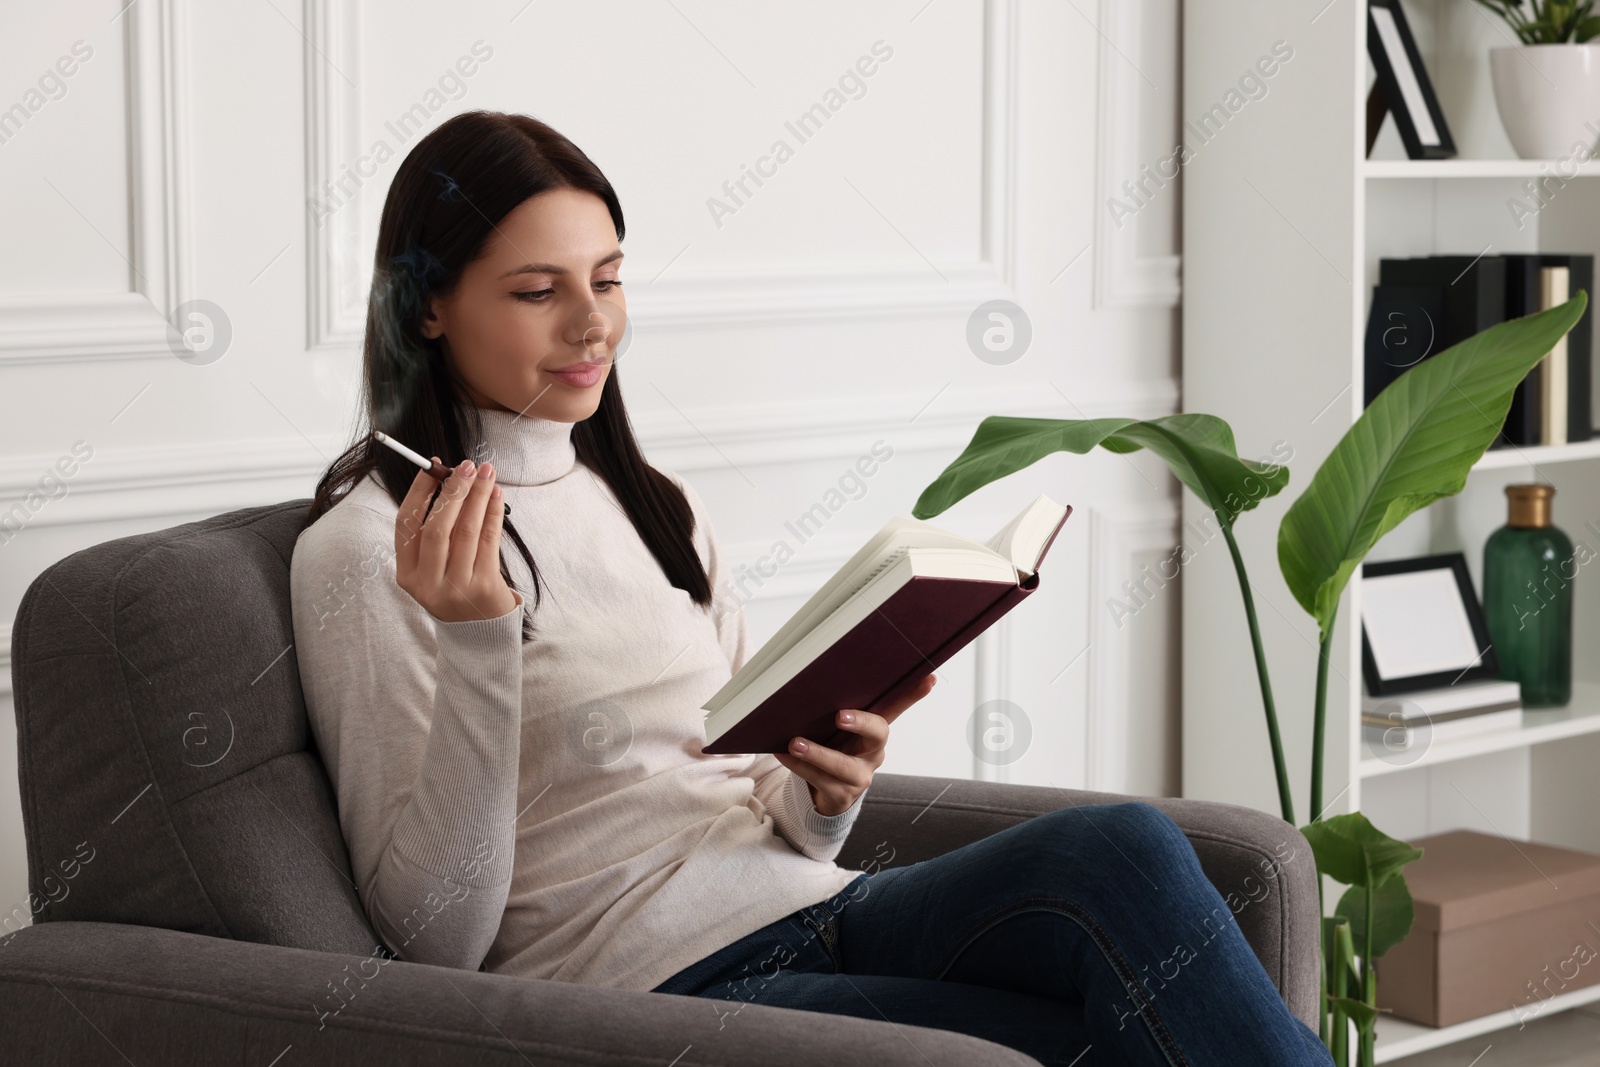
[{"x": 162, "y": 733}]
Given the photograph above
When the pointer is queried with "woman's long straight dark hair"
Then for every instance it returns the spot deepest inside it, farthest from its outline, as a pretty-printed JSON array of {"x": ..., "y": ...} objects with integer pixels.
[{"x": 447, "y": 198}]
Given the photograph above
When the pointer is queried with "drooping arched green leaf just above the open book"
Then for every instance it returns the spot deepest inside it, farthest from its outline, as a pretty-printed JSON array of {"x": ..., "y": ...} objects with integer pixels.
[{"x": 1199, "y": 449}]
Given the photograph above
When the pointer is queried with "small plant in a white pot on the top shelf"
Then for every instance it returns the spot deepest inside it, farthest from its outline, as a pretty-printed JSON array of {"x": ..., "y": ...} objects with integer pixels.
[{"x": 1548, "y": 89}]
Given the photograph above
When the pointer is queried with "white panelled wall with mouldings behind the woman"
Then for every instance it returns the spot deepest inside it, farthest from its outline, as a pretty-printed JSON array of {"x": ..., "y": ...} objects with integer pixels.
[{"x": 186, "y": 159}]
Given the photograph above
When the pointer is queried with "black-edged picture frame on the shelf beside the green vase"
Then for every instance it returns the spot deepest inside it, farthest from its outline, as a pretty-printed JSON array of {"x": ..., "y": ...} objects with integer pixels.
[{"x": 1423, "y": 626}]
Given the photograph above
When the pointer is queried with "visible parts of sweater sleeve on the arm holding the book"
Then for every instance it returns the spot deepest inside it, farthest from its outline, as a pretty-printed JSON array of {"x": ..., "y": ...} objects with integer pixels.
[{"x": 785, "y": 794}]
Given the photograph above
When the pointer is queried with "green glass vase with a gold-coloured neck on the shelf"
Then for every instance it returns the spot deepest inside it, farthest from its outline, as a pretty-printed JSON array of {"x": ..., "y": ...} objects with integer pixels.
[{"x": 1529, "y": 573}]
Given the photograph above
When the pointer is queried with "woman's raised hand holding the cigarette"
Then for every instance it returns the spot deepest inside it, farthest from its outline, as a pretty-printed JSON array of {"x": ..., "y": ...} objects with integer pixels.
[{"x": 449, "y": 559}]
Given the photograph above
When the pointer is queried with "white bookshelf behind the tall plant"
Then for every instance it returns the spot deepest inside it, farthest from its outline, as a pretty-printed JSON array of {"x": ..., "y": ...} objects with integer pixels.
[{"x": 1286, "y": 223}]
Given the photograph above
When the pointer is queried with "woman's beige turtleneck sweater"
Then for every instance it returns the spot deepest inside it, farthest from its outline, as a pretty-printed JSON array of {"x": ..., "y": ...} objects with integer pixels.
[{"x": 545, "y": 809}]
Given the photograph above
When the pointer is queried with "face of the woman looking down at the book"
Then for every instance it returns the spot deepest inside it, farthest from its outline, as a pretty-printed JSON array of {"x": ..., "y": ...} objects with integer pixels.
[{"x": 535, "y": 321}]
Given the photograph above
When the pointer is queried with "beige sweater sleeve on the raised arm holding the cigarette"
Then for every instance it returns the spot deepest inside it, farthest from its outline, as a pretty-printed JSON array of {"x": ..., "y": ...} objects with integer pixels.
[{"x": 418, "y": 724}]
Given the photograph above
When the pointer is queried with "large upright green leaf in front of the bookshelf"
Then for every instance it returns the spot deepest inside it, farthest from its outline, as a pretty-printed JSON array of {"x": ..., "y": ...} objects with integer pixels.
[{"x": 1414, "y": 446}]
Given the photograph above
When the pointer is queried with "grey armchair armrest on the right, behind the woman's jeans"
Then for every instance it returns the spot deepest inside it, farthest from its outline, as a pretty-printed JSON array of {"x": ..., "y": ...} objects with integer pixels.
[{"x": 1260, "y": 865}]
